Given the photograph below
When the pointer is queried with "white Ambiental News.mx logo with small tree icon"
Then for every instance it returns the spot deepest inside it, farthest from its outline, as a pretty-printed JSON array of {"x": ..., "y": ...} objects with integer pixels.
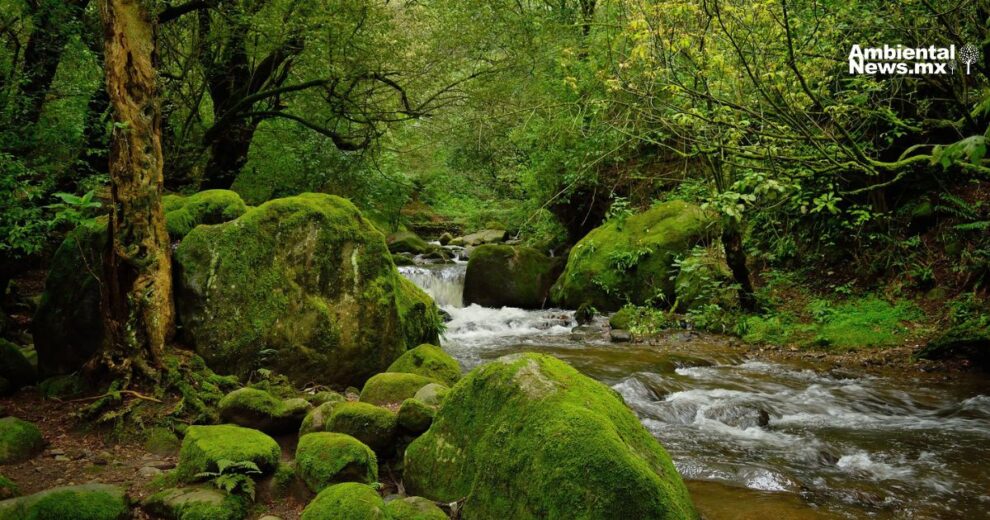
[{"x": 910, "y": 60}]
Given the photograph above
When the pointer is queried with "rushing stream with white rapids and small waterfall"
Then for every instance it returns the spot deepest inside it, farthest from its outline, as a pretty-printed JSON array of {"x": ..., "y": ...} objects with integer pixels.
[{"x": 756, "y": 439}]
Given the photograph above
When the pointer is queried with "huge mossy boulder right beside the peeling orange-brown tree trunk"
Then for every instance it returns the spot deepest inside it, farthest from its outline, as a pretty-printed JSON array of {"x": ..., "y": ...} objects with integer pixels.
[{"x": 303, "y": 285}]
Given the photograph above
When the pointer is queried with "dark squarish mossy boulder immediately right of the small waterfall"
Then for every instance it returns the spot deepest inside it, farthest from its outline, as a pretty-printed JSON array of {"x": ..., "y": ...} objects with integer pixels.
[{"x": 509, "y": 276}]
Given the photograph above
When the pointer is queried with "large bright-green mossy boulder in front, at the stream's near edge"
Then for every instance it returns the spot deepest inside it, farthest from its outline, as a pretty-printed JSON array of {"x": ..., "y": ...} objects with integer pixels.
[{"x": 527, "y": 436}]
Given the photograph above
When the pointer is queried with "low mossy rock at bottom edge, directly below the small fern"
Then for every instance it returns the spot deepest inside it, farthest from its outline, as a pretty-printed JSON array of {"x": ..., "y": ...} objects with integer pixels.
[{"x": 195, "y": 503}]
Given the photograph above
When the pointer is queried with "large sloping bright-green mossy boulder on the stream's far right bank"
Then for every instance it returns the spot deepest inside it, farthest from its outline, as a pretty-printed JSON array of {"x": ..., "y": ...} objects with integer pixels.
[{"x": 631, "y": 260}]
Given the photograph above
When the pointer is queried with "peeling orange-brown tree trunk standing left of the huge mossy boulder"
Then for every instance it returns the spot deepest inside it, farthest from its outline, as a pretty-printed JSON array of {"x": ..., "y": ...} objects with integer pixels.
[{"x": 138, "y": 311}]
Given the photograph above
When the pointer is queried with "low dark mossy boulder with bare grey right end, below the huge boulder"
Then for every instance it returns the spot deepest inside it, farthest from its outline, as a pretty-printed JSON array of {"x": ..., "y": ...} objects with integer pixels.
[{"x": 254, "y": 408}]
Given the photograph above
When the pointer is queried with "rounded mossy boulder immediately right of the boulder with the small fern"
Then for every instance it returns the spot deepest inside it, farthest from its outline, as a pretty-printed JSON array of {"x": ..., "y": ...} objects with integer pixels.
[{"x": 326, "y": 458}]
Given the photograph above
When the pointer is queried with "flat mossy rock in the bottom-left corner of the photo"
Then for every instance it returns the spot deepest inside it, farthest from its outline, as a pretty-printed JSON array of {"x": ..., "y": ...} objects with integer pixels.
[{"x": 83, "y": 502}]
